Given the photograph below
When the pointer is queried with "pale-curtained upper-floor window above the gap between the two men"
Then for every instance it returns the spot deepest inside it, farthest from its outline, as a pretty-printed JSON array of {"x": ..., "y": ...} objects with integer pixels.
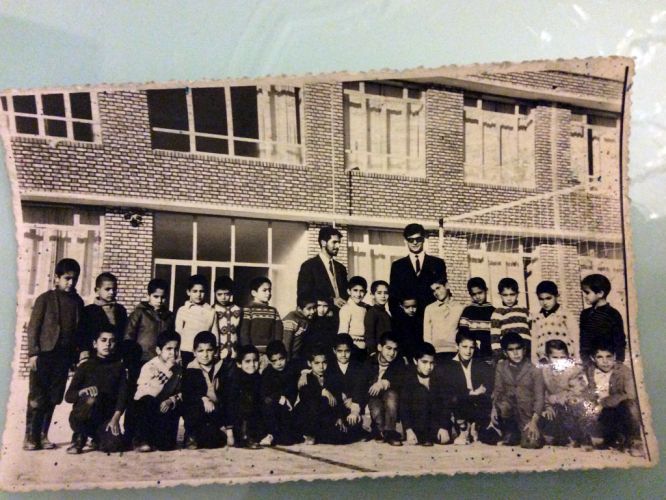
[{"x": 384, "y": 129}]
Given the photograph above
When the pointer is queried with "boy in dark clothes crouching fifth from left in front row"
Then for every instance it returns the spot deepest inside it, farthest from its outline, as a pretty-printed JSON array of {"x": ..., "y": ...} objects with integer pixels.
[{"x": 278, "y": 396}]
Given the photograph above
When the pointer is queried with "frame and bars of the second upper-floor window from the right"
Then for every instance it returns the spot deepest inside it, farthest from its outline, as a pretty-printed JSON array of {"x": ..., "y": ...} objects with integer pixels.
[{"x": 484, "y": 168}]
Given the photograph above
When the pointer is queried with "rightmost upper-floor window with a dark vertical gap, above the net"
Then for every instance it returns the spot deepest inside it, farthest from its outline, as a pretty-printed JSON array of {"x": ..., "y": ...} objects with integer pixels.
[{"x": 595, "y": 150}]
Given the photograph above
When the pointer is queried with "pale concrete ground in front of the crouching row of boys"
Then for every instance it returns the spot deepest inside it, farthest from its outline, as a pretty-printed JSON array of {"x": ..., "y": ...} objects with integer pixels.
[{"x": 52, "y": 469}]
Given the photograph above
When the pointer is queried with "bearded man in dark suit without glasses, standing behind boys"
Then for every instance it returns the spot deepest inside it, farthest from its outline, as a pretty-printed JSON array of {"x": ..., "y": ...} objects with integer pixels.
[{"x": 322, "y": 275}]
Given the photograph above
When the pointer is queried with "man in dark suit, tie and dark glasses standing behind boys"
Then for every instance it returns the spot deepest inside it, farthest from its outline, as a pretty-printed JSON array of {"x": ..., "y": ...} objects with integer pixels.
[{"x": 412, "y": 276}]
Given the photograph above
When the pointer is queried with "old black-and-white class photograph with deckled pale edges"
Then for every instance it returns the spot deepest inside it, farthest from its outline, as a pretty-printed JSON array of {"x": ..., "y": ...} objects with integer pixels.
[{"x": 326, "y": 276}]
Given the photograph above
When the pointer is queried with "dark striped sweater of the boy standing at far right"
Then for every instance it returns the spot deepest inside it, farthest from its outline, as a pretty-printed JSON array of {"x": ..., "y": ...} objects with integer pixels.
[{"x": 602, "y": 324}]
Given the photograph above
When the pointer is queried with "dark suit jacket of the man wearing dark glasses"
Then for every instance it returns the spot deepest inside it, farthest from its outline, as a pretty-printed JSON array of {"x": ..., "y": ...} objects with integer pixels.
[{"x": 404, "y": 282}]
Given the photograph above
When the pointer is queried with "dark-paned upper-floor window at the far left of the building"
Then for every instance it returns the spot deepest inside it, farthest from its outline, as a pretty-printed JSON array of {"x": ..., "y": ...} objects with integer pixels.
[{"x": 67, "y": 115}]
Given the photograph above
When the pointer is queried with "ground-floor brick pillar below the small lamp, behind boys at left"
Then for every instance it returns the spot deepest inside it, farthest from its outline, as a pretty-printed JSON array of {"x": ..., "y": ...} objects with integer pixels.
[{"x": 128, "y": 253}]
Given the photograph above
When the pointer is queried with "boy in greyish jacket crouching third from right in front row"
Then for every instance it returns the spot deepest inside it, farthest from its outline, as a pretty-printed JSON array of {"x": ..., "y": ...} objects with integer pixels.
[{"x": 518, "y": 396}]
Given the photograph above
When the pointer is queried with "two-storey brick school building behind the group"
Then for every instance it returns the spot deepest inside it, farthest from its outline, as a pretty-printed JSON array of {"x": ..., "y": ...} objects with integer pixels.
[{"x": 513, "y": 173}]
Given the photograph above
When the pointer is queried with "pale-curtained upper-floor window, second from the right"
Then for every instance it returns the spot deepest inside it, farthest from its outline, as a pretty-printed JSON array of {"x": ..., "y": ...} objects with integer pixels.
[{"x": 499, "y": 142}]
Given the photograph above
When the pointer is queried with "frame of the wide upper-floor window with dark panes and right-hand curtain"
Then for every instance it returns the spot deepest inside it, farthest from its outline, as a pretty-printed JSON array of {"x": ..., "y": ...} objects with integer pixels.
[{"x": 229, "y": 137}]
